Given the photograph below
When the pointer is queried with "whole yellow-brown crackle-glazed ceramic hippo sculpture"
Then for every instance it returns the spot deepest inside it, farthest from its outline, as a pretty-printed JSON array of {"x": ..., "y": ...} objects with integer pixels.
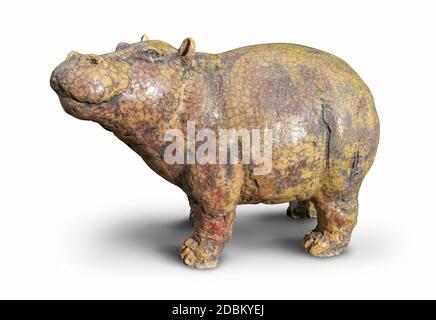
[{"x": 321, "y": 115}]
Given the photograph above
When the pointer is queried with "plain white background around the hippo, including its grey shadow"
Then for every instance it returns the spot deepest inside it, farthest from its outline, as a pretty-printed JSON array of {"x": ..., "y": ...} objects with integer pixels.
[{"x": 81, "y": 216}]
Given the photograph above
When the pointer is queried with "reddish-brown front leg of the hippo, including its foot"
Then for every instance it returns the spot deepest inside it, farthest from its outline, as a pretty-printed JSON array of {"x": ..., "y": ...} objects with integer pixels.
[{"x": 214, "y": 193}]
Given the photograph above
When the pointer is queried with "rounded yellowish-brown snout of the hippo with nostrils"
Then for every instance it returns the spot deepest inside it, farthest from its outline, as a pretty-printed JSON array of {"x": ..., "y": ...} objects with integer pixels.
[{"x": 89, "y": 78}]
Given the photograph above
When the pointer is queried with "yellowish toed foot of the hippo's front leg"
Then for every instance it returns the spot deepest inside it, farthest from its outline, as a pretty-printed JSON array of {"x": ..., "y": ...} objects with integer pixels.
[{"x": 200, "y": 256}]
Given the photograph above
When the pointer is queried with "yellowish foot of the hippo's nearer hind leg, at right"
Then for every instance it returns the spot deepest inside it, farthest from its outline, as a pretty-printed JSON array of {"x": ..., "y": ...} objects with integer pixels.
[{"x": 324, "y": 244}]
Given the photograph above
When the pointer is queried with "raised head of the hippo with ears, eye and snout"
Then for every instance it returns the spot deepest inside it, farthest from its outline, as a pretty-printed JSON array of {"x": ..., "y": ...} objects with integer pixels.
[{"x": 135, "y": 87}]
